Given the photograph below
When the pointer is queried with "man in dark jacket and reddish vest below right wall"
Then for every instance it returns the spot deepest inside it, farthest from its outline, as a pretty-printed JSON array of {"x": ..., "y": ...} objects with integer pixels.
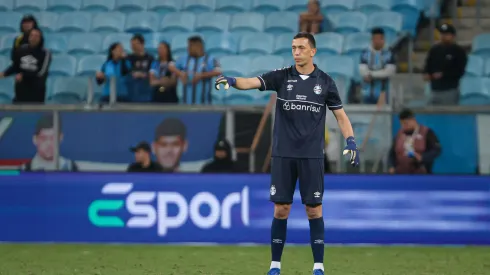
[{"x": 414, "y": 148}]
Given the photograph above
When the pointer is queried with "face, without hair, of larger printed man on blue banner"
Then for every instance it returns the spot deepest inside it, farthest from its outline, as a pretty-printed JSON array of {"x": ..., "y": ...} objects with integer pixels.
[{"x": 168, "y": 151}]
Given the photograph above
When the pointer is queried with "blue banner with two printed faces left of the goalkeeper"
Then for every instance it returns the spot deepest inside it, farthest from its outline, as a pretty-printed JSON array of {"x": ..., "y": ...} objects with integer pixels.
[{"x": 180, "y": 142}]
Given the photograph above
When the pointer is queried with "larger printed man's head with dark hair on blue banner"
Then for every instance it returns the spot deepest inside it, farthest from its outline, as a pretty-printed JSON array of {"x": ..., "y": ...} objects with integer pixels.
[{"x": 170, "y": 143}]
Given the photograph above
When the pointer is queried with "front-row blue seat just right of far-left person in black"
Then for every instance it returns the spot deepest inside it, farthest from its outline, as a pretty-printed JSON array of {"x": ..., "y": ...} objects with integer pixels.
[{"x": 69, "y": 90}]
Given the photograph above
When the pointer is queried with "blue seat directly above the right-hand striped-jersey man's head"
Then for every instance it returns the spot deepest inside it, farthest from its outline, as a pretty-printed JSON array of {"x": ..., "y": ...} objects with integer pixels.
[{"x": 391, "y": 22}]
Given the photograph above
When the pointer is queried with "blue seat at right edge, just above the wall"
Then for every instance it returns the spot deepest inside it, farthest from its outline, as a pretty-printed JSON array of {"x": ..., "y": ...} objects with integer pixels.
[{"x": 474, "y": 91}]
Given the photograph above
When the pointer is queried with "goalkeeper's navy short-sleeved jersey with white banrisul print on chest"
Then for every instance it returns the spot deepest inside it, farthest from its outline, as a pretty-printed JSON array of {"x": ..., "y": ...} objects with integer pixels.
[{"x": 302, "y": 100}]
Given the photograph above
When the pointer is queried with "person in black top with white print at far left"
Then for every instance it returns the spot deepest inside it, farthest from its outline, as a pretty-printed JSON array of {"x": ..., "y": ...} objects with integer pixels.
[{"x": 30, "y": 66}]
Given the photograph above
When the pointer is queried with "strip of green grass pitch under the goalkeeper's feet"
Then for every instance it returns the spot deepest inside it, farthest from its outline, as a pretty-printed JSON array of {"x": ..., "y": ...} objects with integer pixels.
[{"x": 27, "y": 259}]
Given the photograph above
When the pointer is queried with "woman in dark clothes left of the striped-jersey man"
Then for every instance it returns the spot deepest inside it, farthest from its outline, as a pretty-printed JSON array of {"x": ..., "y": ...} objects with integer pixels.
[{"x": 164, "y": 83}]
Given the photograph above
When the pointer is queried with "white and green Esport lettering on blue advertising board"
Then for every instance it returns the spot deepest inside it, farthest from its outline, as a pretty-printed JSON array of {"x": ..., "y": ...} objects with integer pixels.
[{"x": 148, "y": 209}]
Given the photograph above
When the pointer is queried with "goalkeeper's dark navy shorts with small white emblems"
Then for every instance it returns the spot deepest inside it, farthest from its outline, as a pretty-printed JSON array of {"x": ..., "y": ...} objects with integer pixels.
[{"x": 285, "y": 172}]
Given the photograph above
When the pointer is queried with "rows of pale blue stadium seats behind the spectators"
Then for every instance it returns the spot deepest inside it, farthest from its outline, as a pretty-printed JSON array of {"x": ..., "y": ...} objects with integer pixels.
[{"x": 79, "y": 32}]
